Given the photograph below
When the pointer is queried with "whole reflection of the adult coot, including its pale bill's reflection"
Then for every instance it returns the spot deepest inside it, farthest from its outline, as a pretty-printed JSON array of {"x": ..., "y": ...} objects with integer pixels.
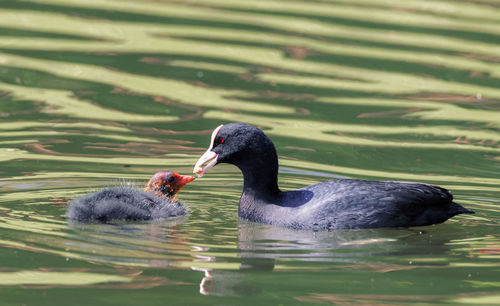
[{"x": 264, "y": 248}]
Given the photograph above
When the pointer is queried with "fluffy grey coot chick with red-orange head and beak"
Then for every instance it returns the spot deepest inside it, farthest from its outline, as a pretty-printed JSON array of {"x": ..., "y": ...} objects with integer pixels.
[{"x": 156, "y": 201}]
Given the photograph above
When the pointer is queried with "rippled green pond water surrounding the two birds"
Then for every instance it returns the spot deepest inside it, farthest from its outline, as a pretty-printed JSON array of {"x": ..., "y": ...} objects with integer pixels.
[{"x": 95, "y": 93}]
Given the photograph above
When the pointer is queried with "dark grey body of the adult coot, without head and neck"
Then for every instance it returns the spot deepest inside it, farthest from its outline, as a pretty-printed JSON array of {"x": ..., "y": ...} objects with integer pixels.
[{"x": 341, "y": 204}]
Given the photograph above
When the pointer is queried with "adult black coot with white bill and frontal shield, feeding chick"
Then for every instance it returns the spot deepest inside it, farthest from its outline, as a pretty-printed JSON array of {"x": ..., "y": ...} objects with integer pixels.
[{"x": 334, "y": 204}]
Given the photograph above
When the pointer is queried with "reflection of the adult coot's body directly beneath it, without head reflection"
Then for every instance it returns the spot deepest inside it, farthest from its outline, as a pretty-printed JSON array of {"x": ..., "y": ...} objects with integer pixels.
[{"x": 269, "y": 242}]
